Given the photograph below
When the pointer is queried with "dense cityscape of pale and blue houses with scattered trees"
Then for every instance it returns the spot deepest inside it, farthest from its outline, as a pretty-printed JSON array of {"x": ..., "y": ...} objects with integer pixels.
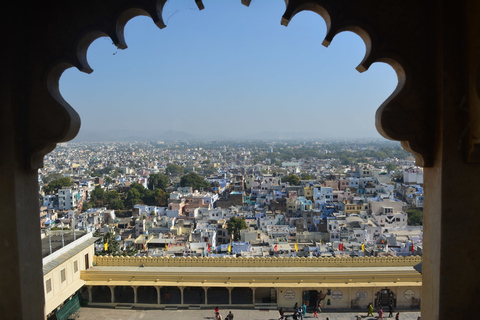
[{"x": 250, "y": 198}]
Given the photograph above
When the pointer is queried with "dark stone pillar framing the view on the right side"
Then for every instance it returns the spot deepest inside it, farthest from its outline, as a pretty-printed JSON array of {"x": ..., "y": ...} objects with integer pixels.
[{"x": 450, "y": 263}]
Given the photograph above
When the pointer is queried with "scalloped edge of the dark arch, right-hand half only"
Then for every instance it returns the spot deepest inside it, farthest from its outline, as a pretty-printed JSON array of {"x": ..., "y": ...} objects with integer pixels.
[{"x": 390, "y": 112}]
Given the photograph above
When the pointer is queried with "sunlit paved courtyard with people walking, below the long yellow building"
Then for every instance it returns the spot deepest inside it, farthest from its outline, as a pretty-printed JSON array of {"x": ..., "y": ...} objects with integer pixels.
[{"x": 89, "y": 313}]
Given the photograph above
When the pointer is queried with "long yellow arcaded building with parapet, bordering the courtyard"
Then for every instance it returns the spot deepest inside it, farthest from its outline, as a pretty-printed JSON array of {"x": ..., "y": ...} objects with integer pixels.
[{"x": 341, "y": 283}]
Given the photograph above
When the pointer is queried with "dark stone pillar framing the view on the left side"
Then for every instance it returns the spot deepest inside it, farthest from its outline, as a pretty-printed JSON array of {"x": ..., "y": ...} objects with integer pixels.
[{"x": 21, "y": 251}]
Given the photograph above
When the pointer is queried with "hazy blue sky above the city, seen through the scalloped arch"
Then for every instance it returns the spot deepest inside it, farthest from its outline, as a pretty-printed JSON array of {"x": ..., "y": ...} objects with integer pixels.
[{"x": 229, "y": 70}]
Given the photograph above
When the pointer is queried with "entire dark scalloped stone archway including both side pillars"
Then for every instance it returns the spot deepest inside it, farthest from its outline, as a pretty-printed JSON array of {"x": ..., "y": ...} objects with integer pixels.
[{"x": 435, "y": 113}]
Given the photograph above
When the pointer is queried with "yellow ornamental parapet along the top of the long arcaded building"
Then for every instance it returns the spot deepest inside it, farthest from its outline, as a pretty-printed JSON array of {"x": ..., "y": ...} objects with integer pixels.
[{"x": 108, "y": 261}]
